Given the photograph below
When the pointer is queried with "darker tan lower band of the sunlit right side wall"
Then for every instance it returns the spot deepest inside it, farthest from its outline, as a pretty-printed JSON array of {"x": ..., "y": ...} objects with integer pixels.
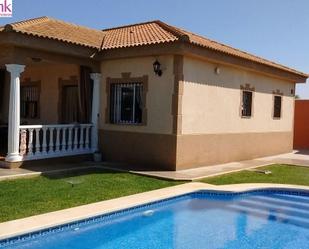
[{"x": 209, "y": 149}]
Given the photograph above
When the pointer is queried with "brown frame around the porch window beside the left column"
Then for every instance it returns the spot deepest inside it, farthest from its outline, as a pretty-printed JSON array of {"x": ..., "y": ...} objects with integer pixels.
[{"x": 28, "y": 83}]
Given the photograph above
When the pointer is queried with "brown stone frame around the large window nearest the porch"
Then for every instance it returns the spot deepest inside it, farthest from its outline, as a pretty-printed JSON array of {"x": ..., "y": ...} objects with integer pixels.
[{"x": 126, "y": 79}]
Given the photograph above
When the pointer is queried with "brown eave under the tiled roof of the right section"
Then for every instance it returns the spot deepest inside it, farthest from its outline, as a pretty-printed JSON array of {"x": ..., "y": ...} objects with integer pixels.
[{"x": 189, "y": 49}]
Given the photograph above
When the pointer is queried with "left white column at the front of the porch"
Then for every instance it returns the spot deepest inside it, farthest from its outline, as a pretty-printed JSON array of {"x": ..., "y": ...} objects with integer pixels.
[{"x": 14, "y": 112}]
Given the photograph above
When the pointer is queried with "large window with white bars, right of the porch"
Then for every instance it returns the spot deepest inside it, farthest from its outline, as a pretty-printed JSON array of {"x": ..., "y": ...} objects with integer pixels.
[{"x": 126, "y": 103}]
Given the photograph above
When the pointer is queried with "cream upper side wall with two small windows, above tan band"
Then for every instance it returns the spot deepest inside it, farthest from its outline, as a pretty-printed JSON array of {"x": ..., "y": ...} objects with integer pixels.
[{"x": 211, "y": 102}]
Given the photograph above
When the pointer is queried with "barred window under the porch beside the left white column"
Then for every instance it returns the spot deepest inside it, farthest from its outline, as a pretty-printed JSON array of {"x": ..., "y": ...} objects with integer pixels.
[{"x": 29, "y": 105}]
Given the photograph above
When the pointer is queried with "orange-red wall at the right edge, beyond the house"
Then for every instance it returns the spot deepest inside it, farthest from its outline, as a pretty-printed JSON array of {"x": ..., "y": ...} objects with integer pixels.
[{"x": 301, "y": 125}]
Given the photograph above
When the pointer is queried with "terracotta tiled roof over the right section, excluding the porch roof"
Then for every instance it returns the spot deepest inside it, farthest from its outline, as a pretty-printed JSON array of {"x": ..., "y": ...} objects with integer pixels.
[{"x": 160, "y": 32}]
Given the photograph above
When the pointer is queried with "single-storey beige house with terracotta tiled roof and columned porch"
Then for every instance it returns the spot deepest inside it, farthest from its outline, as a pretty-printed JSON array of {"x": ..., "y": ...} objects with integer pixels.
[{"x": 147, "y": 94}]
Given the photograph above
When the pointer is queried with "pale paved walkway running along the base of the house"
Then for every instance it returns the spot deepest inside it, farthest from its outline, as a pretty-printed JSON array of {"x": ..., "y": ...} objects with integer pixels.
[{"x": 296, "y": 157}]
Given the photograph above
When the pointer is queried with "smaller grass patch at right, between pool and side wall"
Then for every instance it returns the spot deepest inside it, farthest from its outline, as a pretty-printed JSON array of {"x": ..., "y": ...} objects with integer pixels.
[{"x": 285, "y": 174}]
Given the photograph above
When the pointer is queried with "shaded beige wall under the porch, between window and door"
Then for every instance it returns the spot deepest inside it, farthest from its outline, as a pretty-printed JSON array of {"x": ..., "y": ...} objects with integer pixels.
[{"x": 49, "y": 75}]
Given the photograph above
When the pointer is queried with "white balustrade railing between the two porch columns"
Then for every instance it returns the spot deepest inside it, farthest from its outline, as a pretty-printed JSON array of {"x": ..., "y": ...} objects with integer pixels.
[{"x": 46, "y": 141}]
